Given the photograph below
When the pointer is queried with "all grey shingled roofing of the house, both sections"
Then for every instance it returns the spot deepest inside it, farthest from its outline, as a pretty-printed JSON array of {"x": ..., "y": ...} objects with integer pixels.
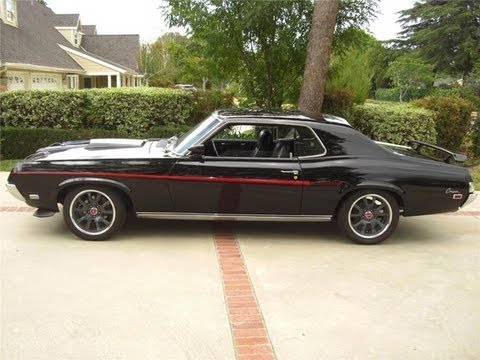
[{"x": 35, "y": 41}]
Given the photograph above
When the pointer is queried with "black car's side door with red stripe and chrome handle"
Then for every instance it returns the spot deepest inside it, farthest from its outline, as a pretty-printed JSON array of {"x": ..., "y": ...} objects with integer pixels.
[{"x": 238, "y": 184}]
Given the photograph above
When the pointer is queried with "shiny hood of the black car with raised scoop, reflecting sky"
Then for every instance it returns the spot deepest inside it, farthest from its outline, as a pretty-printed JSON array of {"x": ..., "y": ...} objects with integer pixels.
[{"x": 100, "y": 149}]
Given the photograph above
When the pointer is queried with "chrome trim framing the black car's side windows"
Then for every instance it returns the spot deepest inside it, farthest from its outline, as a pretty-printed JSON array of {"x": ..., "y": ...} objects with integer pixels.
[{"x": 258, "y": 121}]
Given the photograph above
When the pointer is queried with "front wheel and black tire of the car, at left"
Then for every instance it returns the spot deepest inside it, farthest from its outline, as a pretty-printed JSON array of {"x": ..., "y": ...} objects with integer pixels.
[{"x": 94, "y": 212}]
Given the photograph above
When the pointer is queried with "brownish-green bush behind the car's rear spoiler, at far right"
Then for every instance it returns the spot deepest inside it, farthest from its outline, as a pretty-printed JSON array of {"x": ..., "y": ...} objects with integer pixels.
[{"x": 453, "y": 117}]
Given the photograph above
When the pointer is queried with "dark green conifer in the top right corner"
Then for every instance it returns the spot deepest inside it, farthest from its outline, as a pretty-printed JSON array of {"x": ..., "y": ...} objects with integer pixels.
[{"x": 446, "y": 33}]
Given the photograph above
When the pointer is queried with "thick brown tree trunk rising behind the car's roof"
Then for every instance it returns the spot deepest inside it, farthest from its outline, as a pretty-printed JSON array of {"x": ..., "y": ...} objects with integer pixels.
[{"x": 318, "y": 56}]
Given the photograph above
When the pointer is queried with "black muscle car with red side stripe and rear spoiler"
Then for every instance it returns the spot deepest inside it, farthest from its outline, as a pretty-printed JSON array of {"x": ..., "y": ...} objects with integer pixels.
[{"x": 245, "y": 165}]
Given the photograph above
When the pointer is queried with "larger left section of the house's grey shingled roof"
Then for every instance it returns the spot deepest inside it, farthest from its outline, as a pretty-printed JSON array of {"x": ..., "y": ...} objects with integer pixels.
[{"x": 35, "y": 39}]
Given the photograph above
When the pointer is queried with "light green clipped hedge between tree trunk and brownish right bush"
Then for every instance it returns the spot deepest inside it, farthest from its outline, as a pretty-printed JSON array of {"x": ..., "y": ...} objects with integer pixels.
[{"x": 395, "y": 123}]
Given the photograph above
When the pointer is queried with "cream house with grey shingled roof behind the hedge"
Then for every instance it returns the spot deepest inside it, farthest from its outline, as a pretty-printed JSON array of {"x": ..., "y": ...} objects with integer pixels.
[{"x": 43, "y": 50}]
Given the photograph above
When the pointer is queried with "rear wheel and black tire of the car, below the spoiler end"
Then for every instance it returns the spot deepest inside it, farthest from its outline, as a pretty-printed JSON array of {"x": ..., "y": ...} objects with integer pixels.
[{"x": 368, "y": 217}]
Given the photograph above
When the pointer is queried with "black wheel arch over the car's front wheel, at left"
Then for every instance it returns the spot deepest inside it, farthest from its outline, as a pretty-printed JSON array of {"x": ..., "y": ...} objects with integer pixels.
[{"x": 66, "y": 186}]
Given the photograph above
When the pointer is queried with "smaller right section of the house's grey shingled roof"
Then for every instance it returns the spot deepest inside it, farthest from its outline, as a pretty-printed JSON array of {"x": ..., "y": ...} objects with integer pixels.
[{"x": 119, "y": 49}]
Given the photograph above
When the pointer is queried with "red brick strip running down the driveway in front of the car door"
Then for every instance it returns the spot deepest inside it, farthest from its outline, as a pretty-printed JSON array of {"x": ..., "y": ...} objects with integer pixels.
[{"x": 250, "y": 336}]
